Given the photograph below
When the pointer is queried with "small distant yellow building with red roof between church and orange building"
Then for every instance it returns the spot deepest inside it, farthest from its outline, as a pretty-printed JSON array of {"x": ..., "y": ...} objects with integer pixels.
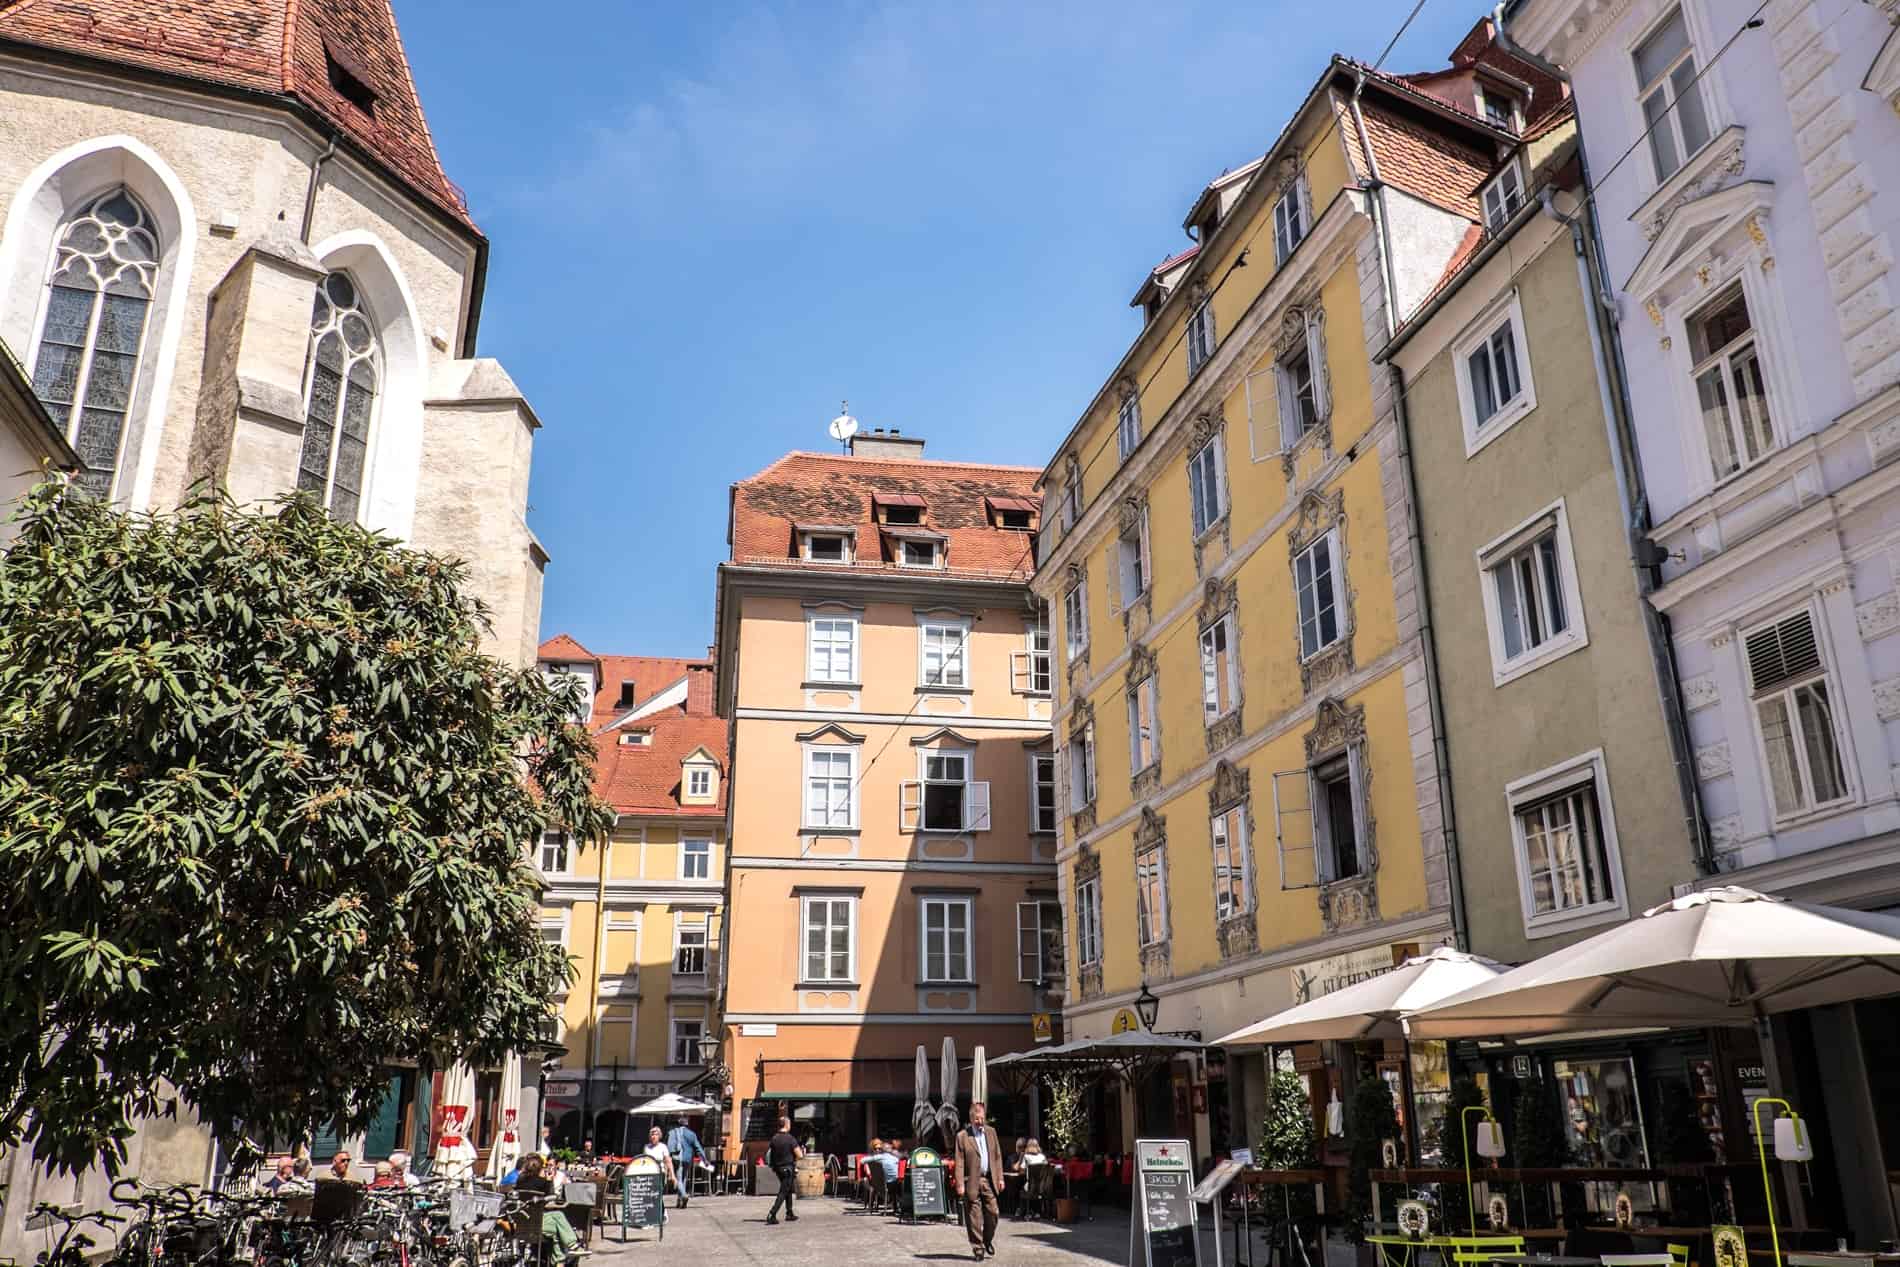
[{"x": 639, "y": 913}]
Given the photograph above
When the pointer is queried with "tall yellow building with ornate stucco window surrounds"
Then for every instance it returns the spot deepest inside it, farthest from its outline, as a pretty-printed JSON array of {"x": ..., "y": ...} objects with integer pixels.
[{"x": 1249, "y": 778}]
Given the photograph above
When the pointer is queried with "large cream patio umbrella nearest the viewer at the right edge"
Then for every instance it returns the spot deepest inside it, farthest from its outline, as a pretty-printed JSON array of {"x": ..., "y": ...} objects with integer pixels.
[{"x": 1717, "y": 958}]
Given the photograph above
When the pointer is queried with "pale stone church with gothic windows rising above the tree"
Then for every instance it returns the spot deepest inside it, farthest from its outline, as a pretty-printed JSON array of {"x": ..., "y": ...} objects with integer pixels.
[{"x": 229, "y": 252}]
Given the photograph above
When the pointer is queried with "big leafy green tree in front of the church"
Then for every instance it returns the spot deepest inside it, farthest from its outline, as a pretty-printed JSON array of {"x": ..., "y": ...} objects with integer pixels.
[{"x": 265, "y": 818}]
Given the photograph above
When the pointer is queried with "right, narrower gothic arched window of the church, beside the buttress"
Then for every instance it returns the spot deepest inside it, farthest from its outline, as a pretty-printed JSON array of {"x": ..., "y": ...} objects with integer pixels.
[{"x": 339, "y": 398}]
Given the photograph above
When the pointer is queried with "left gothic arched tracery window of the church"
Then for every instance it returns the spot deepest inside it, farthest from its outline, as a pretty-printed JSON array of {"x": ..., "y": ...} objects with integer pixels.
[{"x": 96, "y": 312}]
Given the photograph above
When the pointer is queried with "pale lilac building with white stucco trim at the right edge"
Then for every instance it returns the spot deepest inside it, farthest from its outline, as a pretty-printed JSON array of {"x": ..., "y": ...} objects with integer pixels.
[{"x": 1747, "y": 166}]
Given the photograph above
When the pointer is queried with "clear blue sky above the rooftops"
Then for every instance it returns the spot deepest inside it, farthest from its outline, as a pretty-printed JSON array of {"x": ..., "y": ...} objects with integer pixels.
[{"x": 712, "y": 223}]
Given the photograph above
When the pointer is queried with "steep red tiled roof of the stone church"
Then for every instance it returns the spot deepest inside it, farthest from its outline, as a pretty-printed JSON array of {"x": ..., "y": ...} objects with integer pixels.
[{"x": 263, "y": 47}]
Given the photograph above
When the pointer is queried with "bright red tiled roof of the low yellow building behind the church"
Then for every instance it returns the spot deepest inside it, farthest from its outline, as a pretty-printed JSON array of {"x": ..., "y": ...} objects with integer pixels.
[{"x": 645, "y": 780}]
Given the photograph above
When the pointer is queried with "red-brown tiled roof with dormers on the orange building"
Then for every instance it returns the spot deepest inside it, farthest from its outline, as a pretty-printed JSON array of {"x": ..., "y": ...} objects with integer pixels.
[{"x": 833, "y": 489}]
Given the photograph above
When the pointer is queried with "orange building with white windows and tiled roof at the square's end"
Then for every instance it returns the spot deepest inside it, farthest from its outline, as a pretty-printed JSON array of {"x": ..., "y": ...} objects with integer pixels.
[{"x": 892, "y": 816}]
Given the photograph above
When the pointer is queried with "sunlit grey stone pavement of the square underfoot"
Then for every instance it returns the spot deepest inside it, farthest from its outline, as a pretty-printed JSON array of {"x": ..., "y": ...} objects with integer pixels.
[{"x": 837, "y": 1234}]
